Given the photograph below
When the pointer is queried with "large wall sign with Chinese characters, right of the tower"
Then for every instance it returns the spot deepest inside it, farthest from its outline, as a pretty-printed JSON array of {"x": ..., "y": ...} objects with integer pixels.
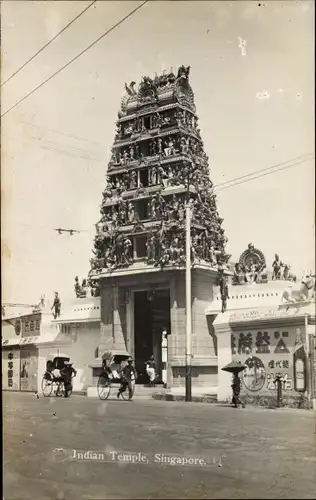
[{"x": 269, "y": 352}]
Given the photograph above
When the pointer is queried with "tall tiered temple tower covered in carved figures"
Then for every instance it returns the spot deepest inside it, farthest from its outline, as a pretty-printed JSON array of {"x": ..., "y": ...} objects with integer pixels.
[{"x": 157, "y": 165}]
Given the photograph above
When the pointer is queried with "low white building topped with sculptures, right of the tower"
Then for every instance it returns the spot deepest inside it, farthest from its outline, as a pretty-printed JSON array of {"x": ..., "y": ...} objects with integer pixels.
[{"x": 268, "y": 333}]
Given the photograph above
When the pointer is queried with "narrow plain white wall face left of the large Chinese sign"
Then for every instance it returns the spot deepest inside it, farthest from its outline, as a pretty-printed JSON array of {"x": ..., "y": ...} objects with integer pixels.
[{"x": 224, "y": 381}]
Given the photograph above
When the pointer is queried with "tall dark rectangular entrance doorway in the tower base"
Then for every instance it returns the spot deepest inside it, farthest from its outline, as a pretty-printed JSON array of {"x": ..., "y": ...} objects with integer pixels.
[{"x": 151, "y": 317}]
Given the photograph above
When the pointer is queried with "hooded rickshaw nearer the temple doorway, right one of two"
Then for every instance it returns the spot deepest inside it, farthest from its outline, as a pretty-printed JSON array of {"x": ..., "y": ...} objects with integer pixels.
[{"x": 112, "y": 361}]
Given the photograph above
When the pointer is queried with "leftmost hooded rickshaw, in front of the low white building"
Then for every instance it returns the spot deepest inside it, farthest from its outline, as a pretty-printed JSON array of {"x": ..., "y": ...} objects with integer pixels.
[{"x": 49, "y": 381}]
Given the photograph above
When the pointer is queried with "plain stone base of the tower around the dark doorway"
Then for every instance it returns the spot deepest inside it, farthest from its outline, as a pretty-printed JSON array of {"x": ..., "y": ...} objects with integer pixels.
[{"x": 119, "y": 295}]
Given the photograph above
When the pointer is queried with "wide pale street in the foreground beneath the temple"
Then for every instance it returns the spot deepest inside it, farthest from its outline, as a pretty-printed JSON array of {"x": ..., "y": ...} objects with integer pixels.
[{"x": 217, "y": 452}]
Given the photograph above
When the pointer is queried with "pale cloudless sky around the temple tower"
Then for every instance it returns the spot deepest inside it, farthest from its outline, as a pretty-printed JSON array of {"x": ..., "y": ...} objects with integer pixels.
[{"x": 252, "y": 72}]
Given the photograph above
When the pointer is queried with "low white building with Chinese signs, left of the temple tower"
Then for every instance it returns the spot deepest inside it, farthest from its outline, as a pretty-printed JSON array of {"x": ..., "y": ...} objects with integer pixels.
[{"x": 28, "y": 341}]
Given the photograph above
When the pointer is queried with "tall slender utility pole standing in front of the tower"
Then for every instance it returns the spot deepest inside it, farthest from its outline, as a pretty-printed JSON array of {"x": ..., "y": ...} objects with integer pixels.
[{"x": 188, "y": 310}]
